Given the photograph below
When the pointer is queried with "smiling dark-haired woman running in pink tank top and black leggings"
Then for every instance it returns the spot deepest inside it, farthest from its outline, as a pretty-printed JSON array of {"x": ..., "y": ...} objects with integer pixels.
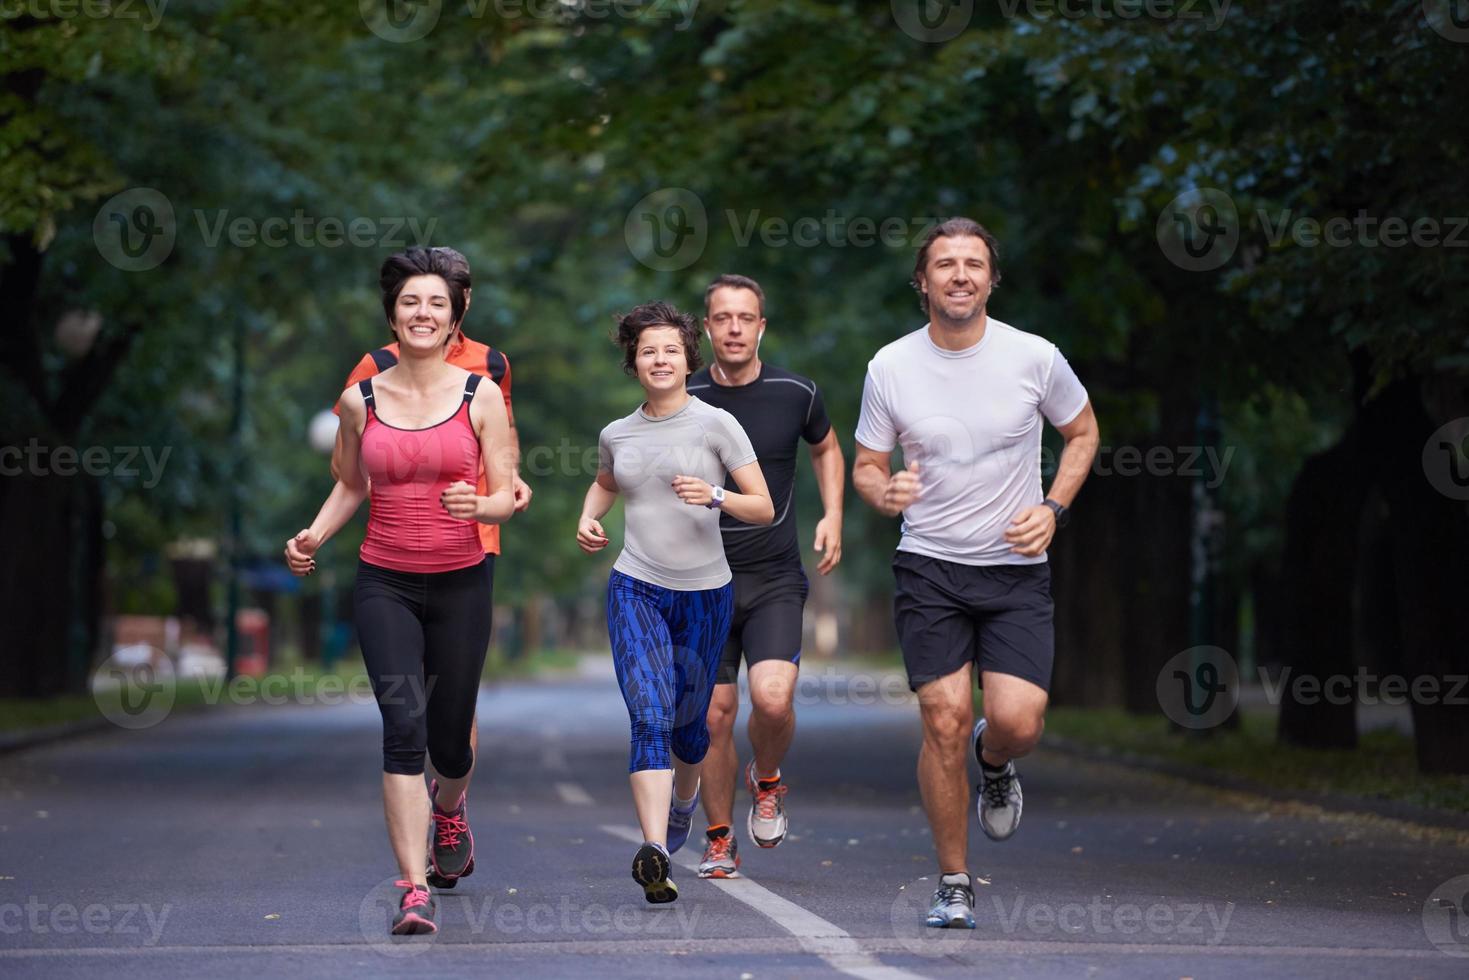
[{"x": 415, "y": 440}]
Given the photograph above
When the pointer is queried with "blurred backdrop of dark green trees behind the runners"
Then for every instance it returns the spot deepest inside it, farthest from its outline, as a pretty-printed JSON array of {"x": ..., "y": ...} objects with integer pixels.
[{"x": 1246, "y": 228}]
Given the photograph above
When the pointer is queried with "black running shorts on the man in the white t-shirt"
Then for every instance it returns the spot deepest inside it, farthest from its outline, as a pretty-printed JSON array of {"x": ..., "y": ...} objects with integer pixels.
[{"x": 997, "y": 616}]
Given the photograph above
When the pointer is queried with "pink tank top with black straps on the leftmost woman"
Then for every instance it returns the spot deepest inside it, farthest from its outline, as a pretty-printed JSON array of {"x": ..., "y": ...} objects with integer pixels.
[{"x": 408, "y": 527}]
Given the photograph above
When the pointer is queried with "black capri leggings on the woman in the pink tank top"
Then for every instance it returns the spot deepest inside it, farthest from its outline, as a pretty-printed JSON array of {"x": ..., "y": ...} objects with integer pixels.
[{"x": 424, "y": 640}]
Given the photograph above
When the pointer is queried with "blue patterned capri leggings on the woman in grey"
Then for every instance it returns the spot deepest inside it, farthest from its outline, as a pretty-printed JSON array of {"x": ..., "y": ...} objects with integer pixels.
[{"x": 666, "y": 647}]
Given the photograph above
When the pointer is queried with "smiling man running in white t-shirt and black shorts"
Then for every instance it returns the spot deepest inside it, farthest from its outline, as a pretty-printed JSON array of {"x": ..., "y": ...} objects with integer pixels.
[{"x": 966, "y": 399}]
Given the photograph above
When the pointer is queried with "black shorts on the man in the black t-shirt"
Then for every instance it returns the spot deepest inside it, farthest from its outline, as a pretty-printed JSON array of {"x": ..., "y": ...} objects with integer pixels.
[{"x": 769, "y": 606}]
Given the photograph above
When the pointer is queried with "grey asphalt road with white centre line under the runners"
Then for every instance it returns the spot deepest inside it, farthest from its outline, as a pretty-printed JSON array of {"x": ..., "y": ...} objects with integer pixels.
[{"x": 249, "y": 841}]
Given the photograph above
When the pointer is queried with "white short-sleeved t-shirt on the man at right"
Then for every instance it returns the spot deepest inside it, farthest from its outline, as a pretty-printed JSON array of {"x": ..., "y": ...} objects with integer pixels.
[{"x": 972, "y": 419}]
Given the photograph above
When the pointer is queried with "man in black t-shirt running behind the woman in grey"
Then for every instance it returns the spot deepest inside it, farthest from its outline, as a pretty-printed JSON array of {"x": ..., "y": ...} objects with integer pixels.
[{"x": 778, "y": 409}]
